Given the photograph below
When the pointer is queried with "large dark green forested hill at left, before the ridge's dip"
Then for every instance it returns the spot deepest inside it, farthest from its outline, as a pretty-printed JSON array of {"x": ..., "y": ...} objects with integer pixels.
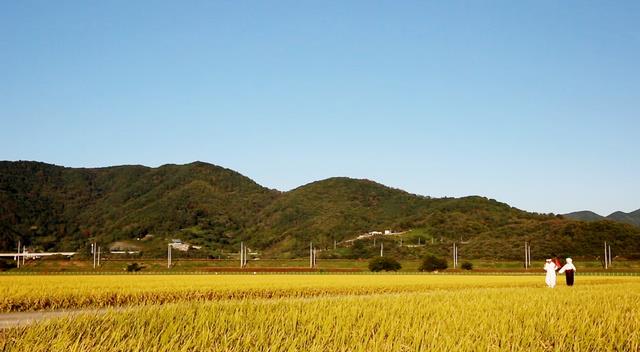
[{"x": 57, "y": 208}]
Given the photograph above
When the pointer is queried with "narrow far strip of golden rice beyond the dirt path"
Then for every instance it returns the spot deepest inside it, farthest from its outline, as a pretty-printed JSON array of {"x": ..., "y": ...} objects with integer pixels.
[{"x": 28, "y": 293}]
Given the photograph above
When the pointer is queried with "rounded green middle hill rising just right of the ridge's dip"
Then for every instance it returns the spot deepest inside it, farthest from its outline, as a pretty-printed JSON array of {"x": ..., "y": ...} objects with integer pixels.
[{"x": 335, "y": 209}]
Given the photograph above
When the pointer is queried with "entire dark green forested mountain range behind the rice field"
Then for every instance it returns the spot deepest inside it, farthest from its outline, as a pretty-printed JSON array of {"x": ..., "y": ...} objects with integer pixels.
[{"x": 50, "y": 207}]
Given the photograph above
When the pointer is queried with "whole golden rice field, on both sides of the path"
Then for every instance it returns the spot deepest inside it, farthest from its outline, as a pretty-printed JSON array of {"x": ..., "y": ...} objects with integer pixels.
[{"x": 336, "y": 313}]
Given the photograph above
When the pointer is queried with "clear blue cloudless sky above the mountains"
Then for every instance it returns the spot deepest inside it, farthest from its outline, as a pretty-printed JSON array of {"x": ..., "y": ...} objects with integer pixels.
[{"x": 532, "y": 103}]
